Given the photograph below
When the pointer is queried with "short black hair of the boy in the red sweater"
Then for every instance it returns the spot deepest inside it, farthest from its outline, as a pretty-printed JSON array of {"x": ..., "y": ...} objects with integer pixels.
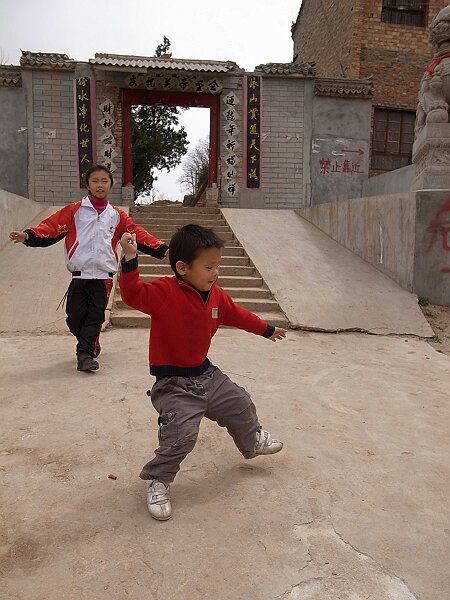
[{"x": 187, "y": 242}]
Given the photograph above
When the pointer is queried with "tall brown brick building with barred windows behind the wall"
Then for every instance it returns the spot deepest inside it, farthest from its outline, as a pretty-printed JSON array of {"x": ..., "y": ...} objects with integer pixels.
[{"x": 383, "y": 39}]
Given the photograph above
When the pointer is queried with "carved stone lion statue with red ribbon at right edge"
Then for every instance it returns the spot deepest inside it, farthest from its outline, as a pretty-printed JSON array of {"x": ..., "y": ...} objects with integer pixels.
[{"x": 434, "y": 94}]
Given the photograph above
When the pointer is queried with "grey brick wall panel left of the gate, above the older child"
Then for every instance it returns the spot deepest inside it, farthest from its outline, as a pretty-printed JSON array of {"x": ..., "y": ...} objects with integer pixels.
[{"x": 54, "y": 149}]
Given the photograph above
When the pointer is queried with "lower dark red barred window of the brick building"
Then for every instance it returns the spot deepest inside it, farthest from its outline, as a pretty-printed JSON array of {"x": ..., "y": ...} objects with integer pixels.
[{"x": 393, "y": 138}]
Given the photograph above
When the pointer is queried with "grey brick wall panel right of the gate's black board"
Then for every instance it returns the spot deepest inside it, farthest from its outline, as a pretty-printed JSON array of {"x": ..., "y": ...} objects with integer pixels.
[{"x": 282, "y": 146}]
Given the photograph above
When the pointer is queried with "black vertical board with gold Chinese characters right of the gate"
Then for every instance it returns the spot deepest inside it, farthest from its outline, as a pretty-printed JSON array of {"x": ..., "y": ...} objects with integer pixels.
[{"x": 253, "y": 131}]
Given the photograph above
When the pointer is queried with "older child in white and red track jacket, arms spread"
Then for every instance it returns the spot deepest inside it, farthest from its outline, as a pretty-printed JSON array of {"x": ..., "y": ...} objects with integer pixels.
[{"x": 91, "y": 228}]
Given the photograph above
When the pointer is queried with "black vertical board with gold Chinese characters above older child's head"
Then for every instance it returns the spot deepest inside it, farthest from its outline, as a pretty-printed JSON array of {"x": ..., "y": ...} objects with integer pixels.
[{"x": 84, "y": 126}]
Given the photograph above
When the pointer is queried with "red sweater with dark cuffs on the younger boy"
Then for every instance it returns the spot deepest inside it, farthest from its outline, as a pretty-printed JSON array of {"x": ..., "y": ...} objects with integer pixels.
[{"x": 182, "y": 323}]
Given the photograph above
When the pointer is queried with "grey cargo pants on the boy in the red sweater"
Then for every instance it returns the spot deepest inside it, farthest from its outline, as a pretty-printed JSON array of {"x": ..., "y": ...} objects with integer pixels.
[{"x": 182, "y": 402}]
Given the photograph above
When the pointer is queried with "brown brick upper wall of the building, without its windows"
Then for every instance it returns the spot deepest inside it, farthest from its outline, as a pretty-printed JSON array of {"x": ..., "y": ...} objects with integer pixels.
[{"x": 354, "y": 42}]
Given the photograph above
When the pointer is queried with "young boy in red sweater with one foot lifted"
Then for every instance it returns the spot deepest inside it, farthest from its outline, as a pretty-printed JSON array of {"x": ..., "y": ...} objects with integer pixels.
[{"x": 186, "y": 310}]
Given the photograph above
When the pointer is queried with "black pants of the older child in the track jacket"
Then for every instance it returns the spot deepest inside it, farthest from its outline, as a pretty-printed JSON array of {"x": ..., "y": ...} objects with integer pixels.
[{"x": 85, "y": 309}]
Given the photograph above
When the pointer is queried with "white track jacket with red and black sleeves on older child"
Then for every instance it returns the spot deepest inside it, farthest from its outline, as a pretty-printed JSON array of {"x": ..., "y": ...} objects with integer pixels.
[{"x": 91, "y": 238}]
